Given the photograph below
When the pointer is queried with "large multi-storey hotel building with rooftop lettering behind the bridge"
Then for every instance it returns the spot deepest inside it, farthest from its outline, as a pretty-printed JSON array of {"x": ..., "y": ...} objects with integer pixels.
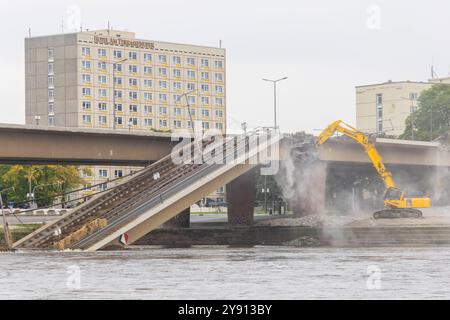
[{"x": 109, "y": 79}]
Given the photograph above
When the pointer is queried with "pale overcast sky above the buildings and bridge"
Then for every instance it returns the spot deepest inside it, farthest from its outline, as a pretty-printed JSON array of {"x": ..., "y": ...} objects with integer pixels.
[{"x": 326, "y": 48}]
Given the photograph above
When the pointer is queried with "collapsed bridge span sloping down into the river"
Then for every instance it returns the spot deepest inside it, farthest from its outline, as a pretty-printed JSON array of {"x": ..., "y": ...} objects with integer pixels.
[{"x": 141, "y": 203}]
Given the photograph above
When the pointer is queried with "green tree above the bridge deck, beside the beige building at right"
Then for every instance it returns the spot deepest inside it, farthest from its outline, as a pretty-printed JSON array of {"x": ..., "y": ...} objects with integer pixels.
[{"x": 432, "y": 118}]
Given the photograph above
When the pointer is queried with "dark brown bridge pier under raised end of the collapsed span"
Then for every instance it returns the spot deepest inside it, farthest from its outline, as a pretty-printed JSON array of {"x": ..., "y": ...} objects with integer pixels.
[{"x": 241, "y": 195}]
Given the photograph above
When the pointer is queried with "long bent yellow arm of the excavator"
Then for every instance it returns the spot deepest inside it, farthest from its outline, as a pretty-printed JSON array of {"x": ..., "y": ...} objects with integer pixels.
[{"x": 369, "y": 148}]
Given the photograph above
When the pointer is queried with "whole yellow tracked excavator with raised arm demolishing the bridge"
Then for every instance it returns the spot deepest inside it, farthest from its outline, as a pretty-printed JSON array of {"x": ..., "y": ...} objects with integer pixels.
[{"x": 397, "y": 204}]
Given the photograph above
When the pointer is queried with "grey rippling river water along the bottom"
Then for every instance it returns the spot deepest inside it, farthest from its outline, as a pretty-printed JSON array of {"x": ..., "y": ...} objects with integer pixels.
[{"x": 229, "y": 273}]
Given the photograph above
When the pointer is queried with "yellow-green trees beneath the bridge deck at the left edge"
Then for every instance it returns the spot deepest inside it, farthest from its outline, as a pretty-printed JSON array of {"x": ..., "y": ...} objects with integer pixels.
[{"x": 46, "y": 181}]
